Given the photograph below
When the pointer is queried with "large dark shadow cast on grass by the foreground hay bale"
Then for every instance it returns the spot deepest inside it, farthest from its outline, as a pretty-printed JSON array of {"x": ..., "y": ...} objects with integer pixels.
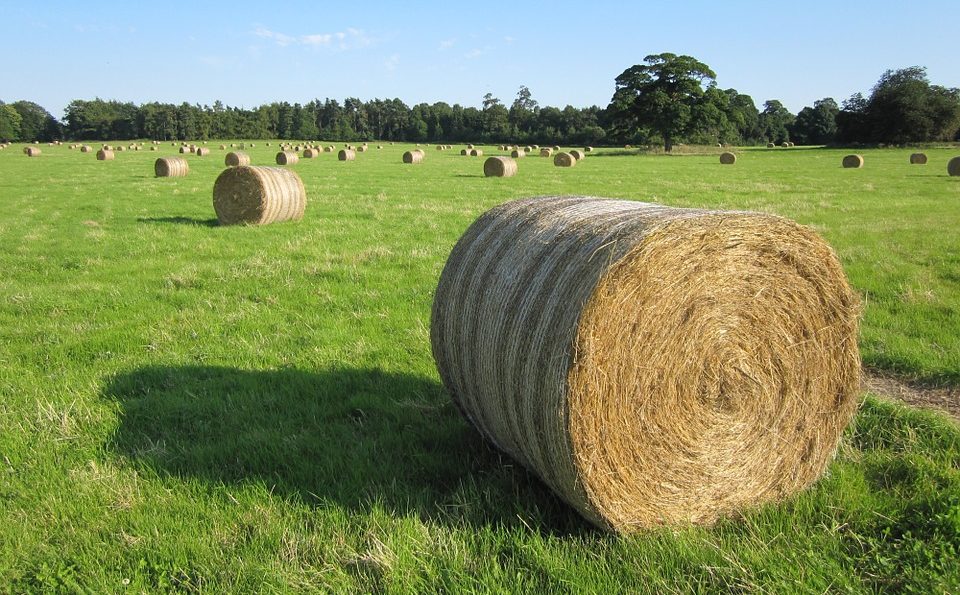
[{"x": 355, "y": 437}]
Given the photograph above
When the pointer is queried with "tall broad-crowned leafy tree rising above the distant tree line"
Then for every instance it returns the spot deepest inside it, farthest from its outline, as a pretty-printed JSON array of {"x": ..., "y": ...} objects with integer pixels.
[{"x": 662, "y": 95}]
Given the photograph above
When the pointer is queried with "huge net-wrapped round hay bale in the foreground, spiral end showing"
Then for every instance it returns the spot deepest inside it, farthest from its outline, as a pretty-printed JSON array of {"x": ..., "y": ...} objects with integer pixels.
[{"x": 652, "y": 365}]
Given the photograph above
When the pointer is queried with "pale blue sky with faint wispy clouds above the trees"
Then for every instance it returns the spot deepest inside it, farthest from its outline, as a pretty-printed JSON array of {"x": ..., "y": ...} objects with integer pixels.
[{"x": 248, "y": 53}]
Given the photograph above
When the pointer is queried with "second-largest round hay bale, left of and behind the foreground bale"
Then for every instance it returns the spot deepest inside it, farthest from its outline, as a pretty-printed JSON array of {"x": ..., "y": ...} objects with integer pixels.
[{"x": 258, "y": 195}]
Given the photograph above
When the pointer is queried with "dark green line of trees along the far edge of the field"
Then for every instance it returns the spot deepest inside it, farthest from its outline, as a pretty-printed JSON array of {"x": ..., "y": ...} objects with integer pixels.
[{"x": 666, "y": 100}]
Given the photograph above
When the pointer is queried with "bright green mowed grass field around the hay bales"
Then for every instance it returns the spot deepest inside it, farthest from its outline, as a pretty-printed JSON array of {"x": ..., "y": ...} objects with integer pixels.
[{"x": 191, "y": 407}]
